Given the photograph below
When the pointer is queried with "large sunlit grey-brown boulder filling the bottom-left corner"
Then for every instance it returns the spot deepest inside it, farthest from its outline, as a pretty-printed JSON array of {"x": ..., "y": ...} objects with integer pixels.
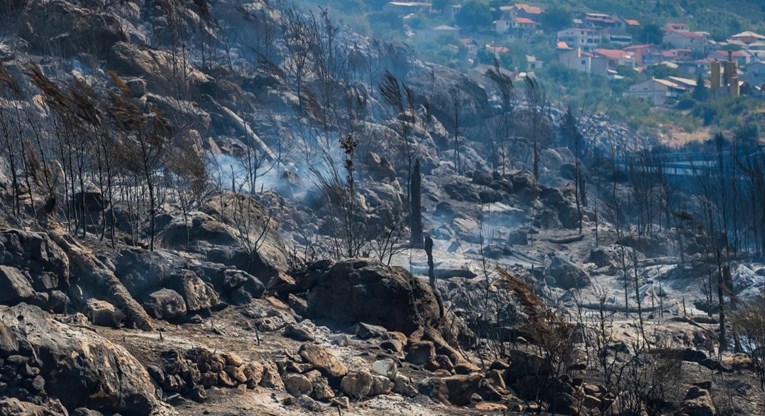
[{"x": 79, "y": 367}]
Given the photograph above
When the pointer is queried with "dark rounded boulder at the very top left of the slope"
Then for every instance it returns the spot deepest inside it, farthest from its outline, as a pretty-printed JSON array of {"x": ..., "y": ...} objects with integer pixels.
[{"x": 69, "y": 29}]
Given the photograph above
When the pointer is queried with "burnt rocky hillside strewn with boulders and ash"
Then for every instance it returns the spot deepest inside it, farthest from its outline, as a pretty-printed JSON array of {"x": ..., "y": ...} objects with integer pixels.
[{"x": 245, "y": 305}]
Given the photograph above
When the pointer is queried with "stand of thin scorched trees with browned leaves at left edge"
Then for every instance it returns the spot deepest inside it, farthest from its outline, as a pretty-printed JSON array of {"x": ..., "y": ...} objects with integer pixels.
[{"x": 99, "y": 160}]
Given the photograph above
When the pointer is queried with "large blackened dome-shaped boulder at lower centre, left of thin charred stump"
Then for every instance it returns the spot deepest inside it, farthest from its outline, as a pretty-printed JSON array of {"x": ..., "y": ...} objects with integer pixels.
[{"x": 354, "y": 291}]
